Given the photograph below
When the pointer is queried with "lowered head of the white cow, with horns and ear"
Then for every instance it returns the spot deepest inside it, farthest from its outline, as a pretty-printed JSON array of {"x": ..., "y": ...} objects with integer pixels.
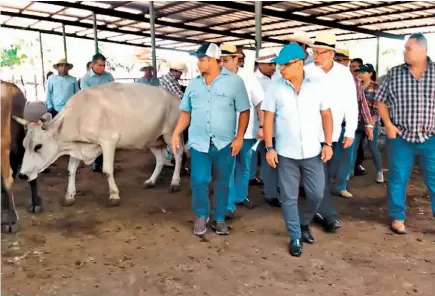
[{"x": 41, "y": 146}]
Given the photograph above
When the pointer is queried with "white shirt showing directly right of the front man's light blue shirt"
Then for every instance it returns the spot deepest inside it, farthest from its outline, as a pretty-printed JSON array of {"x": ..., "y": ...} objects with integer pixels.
[{"x": 256, "y": 96}]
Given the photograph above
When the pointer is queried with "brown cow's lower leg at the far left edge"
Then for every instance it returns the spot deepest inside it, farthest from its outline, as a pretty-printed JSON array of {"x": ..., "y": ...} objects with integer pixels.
[{"x": 9, "y": 215}]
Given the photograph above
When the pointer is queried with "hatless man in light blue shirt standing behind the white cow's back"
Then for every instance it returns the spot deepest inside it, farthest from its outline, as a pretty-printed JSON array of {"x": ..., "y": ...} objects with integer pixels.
[{"x": 97, "y": 75}]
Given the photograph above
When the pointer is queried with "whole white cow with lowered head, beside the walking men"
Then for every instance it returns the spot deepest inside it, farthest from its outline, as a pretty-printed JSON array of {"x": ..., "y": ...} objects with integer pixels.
[{"x": 99, "y": 120}]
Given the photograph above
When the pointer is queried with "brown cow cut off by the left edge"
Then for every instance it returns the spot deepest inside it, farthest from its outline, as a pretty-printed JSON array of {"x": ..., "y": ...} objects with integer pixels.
[{"x": 13, "y": 103}]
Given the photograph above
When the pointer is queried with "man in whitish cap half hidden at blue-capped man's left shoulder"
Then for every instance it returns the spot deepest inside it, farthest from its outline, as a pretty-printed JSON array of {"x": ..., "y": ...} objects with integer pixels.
[{"x": 266, "y": 68}]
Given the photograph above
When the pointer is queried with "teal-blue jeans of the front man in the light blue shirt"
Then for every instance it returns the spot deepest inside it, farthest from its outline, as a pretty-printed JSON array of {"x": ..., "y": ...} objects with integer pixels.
[{"x": 221, "y": 164}]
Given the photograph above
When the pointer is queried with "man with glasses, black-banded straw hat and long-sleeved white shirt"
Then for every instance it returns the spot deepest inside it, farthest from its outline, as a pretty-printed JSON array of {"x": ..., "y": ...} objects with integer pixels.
[{"x": 340, "y": 85}]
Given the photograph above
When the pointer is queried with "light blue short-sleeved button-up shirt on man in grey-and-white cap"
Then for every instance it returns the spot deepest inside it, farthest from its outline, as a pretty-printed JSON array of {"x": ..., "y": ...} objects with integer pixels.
[{"x": 214, "y": 110}]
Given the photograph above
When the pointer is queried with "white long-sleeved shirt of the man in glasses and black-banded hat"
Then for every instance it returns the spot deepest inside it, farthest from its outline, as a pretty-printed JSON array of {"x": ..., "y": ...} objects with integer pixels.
[{"x": 339, "y": 85}]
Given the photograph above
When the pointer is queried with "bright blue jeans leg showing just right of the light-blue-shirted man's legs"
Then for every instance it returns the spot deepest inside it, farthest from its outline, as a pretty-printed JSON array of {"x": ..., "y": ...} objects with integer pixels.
[{"x": 240, "y": 178}]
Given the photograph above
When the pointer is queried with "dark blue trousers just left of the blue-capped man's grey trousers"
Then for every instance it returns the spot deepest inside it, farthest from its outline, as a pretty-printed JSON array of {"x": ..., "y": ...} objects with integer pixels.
[{"x": 268, "y": 175}]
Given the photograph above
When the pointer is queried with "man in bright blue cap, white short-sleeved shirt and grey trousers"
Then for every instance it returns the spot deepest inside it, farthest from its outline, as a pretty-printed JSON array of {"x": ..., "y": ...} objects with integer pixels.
[{"x": 297, "y": 110}]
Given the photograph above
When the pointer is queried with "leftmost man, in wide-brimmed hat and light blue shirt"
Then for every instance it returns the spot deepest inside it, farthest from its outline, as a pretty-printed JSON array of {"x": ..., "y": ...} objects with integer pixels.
[{"x": 60, "y": 87}]
